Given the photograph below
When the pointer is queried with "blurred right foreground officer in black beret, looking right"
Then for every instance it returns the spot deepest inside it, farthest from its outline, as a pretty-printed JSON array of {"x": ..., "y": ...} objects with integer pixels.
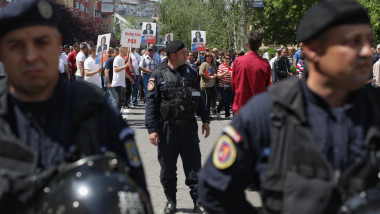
[{"x": 307, "y": 145}]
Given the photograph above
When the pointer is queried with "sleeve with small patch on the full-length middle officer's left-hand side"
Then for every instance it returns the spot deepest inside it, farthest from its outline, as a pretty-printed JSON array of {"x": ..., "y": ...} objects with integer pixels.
[{"x": 153, "y": 100}]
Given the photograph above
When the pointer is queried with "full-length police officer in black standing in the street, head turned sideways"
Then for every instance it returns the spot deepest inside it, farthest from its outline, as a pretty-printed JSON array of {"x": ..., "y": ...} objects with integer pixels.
[{"x": 173, "y": 98}]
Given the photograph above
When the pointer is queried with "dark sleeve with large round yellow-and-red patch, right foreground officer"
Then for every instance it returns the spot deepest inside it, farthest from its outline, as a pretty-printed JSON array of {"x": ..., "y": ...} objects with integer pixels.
[{"x": 233, "y": 163}]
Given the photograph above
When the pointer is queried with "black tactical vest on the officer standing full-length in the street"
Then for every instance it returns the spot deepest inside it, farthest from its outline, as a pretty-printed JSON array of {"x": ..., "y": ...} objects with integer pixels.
[{"x": 179, "y": 98}]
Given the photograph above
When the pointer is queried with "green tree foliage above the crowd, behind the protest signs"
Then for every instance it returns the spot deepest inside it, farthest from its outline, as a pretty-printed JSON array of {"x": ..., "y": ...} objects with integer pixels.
[{"x": 277, "y": 21}]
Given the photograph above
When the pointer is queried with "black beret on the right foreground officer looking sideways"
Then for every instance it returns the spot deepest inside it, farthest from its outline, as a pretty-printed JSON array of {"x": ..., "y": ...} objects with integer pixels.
[{"x": 327, "y": 14}]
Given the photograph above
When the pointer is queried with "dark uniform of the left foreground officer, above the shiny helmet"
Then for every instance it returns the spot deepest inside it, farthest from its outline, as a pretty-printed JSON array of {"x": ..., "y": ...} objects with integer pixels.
[{"x": 77, "y": 119}]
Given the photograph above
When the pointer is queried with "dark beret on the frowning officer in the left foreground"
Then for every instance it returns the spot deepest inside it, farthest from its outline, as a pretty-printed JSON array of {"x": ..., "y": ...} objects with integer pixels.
[{"x": 26, "y": 13}]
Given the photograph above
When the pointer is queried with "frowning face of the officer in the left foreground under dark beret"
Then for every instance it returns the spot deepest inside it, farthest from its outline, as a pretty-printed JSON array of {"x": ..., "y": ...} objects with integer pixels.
[{"x": 30, "y": 57}]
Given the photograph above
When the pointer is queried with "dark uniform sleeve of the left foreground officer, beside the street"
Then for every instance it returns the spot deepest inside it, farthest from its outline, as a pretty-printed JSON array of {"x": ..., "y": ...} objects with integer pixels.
[{"x": 121, "y": 140}]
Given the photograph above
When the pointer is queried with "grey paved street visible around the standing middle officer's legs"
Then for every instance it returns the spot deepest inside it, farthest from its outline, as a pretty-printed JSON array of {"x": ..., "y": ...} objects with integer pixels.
[{"x": 148, "y": 152}]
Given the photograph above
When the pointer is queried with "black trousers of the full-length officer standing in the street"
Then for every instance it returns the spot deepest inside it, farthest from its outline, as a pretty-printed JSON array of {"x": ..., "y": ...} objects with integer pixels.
[{"x": 178, "y": 140}]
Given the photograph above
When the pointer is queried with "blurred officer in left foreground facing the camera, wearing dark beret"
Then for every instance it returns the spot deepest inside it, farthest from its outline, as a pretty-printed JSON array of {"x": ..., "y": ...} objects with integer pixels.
[{"x": 45, "y": 119}]
